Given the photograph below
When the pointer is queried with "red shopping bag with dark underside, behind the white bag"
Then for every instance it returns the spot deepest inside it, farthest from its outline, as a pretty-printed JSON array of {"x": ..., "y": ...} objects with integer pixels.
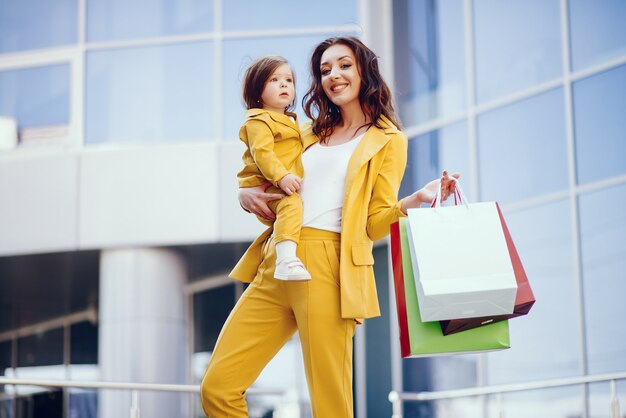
[{"x": 524, "y": 299}]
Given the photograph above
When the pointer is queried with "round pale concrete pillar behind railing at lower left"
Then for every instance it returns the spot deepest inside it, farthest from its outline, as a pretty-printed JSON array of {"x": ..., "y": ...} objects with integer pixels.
[{"x": 143, "y": 329}]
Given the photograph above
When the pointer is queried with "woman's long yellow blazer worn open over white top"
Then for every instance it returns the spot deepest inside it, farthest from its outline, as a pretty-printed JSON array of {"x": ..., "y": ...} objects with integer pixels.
[{"x": 370, "y": 206}]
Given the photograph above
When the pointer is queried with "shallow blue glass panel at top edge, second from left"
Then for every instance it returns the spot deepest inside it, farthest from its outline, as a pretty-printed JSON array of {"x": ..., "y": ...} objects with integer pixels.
[{"x": 109, "y": 20}]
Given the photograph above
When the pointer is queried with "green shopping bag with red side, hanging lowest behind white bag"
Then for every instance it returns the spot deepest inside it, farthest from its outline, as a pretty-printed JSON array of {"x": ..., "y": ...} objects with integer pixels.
[{"x": 424, "y": 339}]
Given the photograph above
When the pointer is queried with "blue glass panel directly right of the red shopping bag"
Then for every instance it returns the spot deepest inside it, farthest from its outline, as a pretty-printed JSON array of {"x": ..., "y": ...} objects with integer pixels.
[{"x": 544, "y": 345}]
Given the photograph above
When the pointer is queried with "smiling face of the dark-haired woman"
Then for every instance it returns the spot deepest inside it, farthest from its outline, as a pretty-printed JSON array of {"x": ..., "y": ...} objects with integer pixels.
[{"x": 341, "y": 80}]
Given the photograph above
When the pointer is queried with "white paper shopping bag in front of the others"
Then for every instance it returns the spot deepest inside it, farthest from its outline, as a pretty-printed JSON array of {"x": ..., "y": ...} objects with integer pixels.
[{"x": 461, "y": 262}]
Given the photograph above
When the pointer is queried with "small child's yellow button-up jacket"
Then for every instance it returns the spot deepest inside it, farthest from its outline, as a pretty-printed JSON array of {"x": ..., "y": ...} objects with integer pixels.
[{"x": 273, "y": 147}]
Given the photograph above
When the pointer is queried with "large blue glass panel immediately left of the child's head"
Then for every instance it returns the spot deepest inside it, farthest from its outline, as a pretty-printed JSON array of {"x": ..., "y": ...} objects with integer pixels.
[{"x": 150, "y": 94}]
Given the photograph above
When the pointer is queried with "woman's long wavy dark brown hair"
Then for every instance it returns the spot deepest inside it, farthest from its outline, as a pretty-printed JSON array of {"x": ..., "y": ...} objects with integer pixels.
[{"x": 375, "y": 96}]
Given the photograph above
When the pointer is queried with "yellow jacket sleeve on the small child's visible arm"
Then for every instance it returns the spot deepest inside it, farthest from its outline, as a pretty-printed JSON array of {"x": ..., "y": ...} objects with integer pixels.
[{"x": 261, "y": 143}]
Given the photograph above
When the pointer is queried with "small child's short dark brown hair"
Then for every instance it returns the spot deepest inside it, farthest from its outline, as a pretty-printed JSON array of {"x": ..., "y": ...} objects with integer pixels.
[{"x": 257, "y": 75}]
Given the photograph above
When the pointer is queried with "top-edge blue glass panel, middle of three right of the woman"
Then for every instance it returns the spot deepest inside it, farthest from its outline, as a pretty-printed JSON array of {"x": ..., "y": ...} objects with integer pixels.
[{"x": 518, "y": 45}]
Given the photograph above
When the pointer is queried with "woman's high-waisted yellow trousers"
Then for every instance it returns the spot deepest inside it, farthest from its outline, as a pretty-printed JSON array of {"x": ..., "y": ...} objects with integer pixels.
[{"x": 268, "y": 314}]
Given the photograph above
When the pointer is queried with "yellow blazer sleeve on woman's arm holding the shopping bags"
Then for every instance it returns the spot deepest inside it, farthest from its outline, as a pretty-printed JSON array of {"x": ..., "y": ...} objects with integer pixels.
[{"x": 384, "y": 207}]
